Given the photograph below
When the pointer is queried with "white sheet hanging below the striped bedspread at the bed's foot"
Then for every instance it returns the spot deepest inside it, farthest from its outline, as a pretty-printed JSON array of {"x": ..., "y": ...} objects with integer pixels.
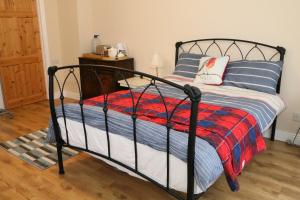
[{"x": 151, "y": 162}]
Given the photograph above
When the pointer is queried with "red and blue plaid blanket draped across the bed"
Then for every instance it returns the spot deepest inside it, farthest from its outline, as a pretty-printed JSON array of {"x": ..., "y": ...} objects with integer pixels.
[{"x": 234, "y": 133}]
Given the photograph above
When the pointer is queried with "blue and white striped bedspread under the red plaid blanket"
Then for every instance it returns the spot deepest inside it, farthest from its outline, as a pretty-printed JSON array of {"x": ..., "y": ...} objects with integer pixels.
[{"x": 208, "y": 166}]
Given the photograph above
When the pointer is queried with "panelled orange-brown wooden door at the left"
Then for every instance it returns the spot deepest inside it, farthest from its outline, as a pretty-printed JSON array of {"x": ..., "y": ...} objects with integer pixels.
[{"x": 21, "y": 67}]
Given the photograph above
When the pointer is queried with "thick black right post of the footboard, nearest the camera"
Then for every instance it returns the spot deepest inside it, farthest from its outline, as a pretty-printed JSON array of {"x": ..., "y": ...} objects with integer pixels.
[{"x": 194, "y": 95}]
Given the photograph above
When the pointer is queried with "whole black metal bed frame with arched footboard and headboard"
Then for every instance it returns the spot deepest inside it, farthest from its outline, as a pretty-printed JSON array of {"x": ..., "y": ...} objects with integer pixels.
[{"x": 193, "y": 94}]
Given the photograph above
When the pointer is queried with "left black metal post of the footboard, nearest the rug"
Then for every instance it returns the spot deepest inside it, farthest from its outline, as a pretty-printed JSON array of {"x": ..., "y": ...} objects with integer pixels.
[{"x": 59, "y": 141}]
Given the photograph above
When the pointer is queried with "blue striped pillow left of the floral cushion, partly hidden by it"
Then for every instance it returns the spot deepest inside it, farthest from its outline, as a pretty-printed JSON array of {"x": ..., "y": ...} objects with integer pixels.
[{"x": 188, "y": 65}]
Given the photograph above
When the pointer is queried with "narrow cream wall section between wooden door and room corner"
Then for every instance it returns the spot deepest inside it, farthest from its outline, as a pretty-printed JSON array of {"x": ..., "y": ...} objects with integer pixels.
[{"x": 69, "y": 30}]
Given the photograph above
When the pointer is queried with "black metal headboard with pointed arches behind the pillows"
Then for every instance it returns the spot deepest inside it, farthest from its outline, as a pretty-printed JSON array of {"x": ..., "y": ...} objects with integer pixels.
[{"x": 223, "y": 46}]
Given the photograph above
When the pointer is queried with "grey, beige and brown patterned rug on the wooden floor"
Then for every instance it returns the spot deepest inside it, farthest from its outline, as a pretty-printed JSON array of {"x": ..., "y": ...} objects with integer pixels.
[{"x": 33, "y": 149}]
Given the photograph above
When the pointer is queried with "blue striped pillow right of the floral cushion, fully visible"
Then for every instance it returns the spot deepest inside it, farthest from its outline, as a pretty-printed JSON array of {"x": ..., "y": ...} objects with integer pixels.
[{"x": 256, "y": 75}]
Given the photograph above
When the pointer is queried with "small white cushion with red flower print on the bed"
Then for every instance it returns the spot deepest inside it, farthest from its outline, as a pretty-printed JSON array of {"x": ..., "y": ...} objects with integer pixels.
[{"x": 211, "y": 70}]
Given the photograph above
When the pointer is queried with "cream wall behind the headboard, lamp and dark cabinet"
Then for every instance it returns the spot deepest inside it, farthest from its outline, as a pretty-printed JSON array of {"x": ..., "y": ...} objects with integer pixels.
[{"x": 150, "y": 26}]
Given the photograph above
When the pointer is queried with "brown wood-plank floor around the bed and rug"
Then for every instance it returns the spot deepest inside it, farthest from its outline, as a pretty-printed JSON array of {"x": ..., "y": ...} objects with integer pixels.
[{"x": 274, "y": 174}]
